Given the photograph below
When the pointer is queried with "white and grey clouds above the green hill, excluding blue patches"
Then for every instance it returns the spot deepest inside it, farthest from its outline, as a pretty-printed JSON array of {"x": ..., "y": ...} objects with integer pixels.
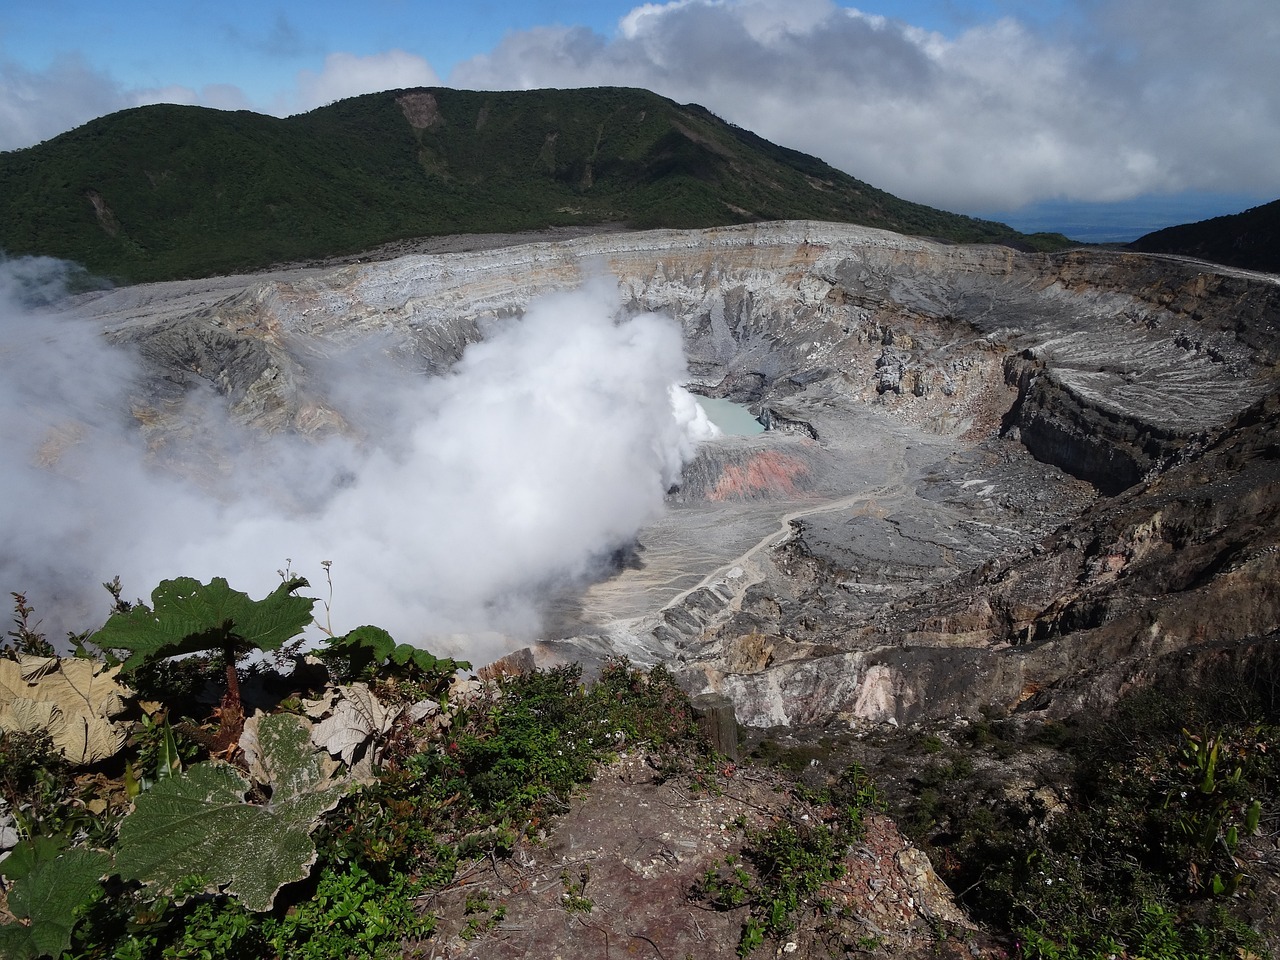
[{"x": 1090, "y": 102}]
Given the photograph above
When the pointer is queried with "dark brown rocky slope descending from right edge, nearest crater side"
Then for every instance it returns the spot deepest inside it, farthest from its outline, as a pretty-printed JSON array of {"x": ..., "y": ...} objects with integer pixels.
[{"x": 1156, "y": 580}]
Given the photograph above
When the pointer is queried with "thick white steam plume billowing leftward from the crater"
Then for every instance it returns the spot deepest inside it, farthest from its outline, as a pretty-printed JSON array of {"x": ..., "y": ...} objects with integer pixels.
[{"x": 478, "y": 495}]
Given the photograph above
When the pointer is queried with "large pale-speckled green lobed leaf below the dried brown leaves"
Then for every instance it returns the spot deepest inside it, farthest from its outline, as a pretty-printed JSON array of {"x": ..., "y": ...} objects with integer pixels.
[{"x": 198, "y": 824}]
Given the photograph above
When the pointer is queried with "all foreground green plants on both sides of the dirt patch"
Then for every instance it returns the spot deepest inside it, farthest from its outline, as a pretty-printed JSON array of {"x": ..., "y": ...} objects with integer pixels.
[{"x": 318, "y": 812}]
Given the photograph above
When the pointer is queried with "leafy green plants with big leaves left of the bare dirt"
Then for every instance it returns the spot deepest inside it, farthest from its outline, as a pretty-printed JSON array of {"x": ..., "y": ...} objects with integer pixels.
[{"x": 296, "y": 839}]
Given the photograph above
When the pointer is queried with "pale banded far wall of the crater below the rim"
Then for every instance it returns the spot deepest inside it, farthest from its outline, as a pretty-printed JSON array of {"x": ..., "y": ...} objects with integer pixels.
[{"x": 1117, "y": 360}]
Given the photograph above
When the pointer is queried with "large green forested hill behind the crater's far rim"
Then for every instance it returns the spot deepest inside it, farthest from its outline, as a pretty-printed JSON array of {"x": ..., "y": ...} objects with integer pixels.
[{"x": 167, "y": 191}]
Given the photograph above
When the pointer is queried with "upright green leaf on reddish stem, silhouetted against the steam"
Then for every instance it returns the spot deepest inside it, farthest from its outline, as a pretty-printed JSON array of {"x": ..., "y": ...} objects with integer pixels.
[{"x": 188, "y": 616}]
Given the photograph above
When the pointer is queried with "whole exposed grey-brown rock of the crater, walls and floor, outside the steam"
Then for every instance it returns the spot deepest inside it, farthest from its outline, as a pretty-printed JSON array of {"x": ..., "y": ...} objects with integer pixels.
[{"x": 892, "y": 552}]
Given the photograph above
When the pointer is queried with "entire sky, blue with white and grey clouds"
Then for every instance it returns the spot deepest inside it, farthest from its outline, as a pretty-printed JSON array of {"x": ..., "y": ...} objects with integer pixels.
[{"x": 1104, "y": 118}]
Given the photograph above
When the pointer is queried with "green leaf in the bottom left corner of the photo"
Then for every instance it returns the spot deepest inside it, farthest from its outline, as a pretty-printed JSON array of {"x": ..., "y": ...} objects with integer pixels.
[{"x": 47, "y": 902}]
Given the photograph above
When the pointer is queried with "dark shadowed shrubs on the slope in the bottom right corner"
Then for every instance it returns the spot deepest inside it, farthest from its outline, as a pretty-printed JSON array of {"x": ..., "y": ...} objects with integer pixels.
[{"x": 1148, "y": 831}]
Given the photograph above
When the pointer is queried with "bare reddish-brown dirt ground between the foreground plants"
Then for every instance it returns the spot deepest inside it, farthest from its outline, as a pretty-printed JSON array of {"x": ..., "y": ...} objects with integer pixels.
[{"x": 614, "y": 879}]
